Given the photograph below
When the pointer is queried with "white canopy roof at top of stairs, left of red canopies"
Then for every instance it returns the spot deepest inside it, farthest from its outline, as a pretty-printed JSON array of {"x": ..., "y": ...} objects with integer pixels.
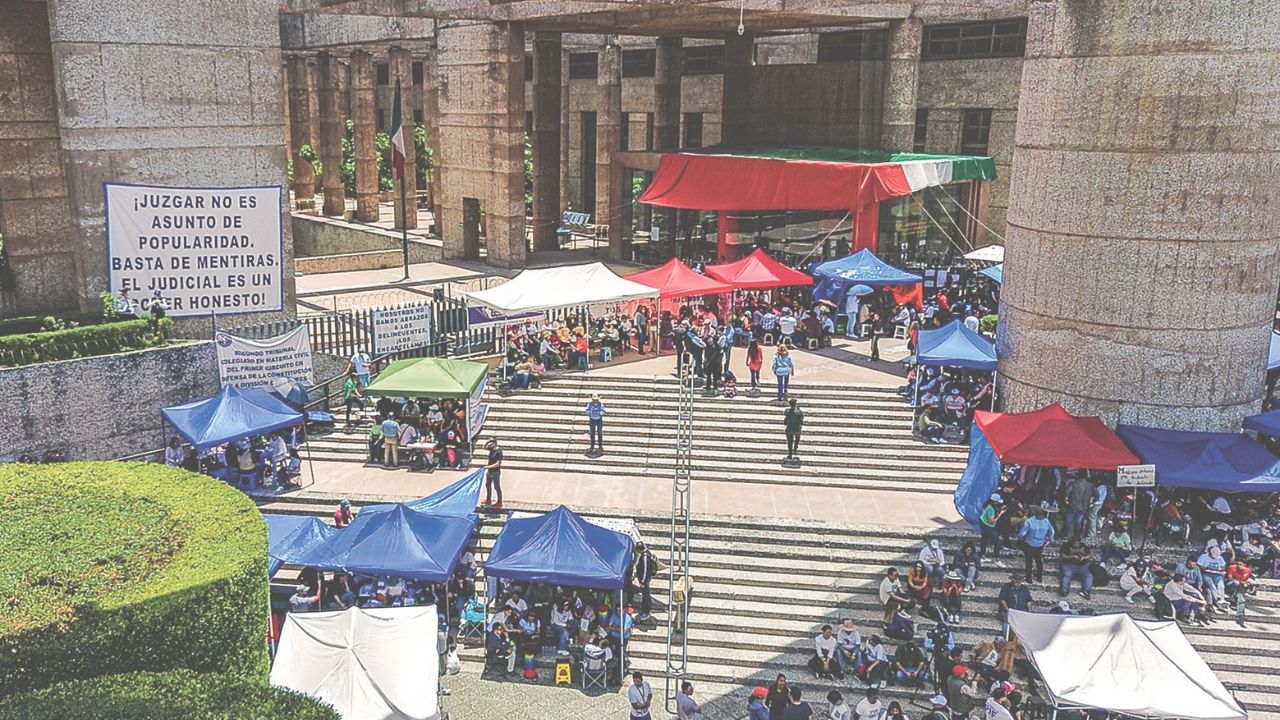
[{"x": 561, "y": 288}]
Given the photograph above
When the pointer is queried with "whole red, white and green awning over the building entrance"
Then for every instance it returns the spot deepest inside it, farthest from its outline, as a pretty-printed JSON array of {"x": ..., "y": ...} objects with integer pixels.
[{"x": 802, "y": 179}]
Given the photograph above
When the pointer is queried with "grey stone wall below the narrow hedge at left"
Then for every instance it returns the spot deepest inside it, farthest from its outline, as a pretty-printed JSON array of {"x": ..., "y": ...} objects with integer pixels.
[{"x": 109, "y": 407}]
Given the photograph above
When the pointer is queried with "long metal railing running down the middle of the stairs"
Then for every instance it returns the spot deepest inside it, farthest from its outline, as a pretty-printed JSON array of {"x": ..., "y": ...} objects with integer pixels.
[{"x": 679, "y": 582}]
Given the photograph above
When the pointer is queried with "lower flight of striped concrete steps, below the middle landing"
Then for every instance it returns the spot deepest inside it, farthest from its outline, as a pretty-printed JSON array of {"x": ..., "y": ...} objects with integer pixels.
[{"x": 764, "y": 589}]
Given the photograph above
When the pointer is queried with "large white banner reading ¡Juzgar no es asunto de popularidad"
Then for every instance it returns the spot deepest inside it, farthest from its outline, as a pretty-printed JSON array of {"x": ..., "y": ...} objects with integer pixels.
[{"x": 198, "y": 250}]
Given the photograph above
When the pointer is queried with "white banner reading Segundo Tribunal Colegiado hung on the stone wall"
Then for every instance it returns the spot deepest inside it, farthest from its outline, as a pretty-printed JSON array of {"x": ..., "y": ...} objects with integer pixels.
[{"x": 253, "y": 363}]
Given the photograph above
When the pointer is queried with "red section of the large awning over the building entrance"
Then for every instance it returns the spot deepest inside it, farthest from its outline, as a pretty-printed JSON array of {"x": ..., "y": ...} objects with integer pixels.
[{"x": 730, "y": 183}]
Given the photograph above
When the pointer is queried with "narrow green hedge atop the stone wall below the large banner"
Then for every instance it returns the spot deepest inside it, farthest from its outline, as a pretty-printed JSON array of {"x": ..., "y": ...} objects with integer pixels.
[{"x": 84, "y": 341}]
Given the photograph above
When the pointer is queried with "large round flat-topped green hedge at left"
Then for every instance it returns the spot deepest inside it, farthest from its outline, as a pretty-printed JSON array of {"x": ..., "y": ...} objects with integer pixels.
[{"x": 125, "y": 567}]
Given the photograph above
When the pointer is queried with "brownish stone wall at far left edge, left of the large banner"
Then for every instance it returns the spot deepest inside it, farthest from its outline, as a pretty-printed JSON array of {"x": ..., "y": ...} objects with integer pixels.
[{"x": 35, "y": 212}]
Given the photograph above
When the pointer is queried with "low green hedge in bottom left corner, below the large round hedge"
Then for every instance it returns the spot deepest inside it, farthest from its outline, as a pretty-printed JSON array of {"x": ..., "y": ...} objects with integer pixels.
[{"x": 179, "y": 695}]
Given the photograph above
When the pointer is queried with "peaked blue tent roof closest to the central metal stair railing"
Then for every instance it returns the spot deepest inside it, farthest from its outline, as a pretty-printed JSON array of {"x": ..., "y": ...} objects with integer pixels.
[{"x": 560, "y": 548}]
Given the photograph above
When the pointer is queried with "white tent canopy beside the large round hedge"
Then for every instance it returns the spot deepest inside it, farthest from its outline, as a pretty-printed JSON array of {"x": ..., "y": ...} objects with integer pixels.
[{"x": 377, "y": 664}]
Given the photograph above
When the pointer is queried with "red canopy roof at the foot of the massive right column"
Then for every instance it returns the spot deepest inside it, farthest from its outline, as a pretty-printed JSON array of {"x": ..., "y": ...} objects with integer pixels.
[{"x": 1055, "y": 439}]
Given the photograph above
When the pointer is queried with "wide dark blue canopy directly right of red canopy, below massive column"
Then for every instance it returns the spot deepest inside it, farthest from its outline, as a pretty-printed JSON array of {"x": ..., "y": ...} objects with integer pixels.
[{"x": 1200, "y": 461}]
